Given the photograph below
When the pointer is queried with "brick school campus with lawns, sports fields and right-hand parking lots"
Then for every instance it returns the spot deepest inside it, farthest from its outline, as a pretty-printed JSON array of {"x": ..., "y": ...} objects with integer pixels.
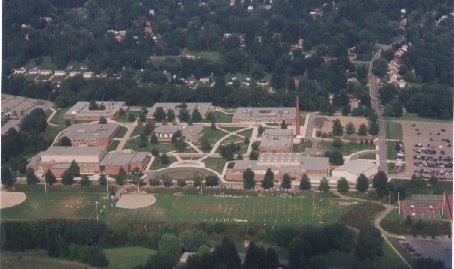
[{"x": 208, "y": 180}]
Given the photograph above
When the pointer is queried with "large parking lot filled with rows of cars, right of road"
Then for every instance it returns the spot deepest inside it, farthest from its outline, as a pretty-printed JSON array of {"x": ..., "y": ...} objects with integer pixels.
[{"x": 428, "y": 148}]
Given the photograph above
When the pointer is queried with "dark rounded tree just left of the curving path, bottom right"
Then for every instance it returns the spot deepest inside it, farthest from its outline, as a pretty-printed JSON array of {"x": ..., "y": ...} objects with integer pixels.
[{"x": 369, "y": 243}]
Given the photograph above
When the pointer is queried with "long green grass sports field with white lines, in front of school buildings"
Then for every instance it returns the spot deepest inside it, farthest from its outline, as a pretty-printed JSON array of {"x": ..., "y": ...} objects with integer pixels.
[{"x": 243, "y": 208}]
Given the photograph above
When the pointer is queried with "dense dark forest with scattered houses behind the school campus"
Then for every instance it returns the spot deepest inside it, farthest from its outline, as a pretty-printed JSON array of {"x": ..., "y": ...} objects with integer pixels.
[{"x": 257, "y": 39}]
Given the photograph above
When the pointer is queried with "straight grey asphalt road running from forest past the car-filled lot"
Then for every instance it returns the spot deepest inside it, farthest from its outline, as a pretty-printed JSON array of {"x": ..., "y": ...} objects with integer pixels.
[{"x": 375, "y": 101}]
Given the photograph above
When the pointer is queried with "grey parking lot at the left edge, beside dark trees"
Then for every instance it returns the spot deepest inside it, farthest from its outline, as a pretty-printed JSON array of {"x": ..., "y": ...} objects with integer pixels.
[{"x": 14, "y": 108}]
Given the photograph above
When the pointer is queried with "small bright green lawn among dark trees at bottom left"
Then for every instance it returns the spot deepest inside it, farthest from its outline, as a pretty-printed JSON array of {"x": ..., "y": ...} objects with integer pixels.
[{"x": 127, "y": 257}]
